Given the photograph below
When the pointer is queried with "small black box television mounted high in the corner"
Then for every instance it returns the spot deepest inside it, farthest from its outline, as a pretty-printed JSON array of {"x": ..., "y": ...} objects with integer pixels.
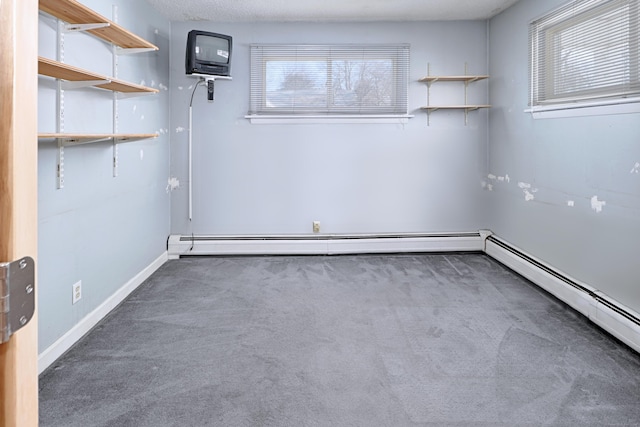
[{"x": 208, "y": 53}]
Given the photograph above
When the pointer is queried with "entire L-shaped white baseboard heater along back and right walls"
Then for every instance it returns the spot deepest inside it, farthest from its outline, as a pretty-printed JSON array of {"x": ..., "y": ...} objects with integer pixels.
[{"x": 620, "y": 321}]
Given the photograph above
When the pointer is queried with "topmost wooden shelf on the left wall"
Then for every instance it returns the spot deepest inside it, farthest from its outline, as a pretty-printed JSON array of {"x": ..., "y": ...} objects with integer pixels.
[{"x": 74, "y": 12}]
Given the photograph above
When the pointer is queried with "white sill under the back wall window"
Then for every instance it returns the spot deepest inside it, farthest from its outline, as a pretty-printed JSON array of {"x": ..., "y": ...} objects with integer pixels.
[{"x": 324, "y": 119}]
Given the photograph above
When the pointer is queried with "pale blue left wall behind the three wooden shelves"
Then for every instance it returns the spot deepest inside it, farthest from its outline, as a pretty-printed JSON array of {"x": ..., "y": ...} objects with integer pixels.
[{"x": 100, "y": 229}]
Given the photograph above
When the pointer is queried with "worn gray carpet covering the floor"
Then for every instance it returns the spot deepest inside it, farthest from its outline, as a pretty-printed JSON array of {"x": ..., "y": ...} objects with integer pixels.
[{"x": 400, "y": 340}]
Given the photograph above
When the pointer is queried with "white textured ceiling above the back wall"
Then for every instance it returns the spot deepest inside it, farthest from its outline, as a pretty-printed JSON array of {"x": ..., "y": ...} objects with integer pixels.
[{"x": 329, "y": 10}]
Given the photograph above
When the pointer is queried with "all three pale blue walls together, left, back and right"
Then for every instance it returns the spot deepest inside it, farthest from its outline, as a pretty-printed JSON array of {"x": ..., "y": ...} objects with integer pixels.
[{"x": 277, "y": 179}]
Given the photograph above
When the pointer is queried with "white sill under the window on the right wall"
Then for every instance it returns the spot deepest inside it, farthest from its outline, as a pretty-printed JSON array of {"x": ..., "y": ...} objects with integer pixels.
[{"x": 594, "y": 108}]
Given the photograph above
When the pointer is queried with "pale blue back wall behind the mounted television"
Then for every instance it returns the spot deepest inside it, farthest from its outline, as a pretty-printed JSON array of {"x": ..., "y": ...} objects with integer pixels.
[{"x": 354, "y": 178}]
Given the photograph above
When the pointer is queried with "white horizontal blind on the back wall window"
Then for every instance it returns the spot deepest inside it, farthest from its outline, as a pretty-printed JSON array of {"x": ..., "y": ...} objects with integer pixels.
[{"x": 329, "y": 80}]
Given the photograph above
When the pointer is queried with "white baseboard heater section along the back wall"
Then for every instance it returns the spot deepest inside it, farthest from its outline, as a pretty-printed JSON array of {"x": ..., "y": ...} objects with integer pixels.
[{"x": 324, "y": 244}]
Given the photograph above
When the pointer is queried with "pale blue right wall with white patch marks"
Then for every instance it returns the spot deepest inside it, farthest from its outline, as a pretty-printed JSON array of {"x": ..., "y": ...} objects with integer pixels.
[{"x": 566, "y": 160}]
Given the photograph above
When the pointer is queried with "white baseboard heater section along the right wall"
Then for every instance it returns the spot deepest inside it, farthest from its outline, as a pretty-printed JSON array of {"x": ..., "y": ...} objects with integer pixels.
[{"x": 620, "y": 321}]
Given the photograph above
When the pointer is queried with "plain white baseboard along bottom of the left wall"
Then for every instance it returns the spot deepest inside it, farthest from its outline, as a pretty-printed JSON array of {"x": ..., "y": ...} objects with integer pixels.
[{"x": 65, "y": 342}]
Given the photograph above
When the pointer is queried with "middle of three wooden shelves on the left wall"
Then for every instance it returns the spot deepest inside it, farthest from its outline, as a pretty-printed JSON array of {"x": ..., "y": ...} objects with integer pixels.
[{"x": 59, "y": 70}]
